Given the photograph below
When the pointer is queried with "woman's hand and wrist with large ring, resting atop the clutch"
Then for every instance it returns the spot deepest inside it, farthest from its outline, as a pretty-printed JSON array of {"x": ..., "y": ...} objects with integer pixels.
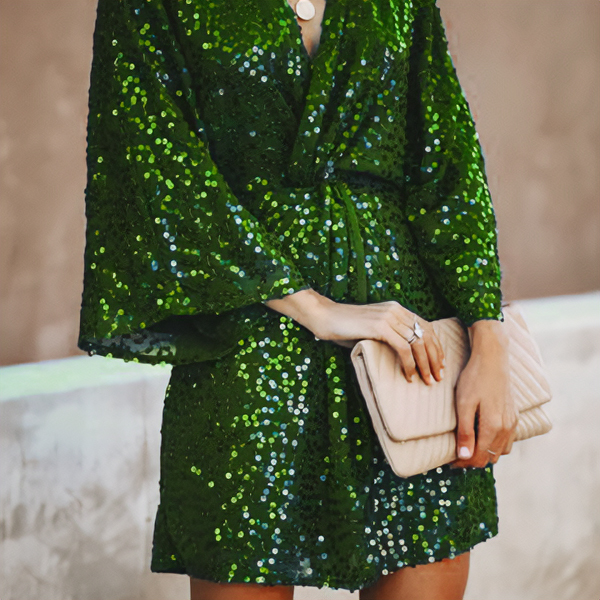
[{"x": 389, "y": 322}]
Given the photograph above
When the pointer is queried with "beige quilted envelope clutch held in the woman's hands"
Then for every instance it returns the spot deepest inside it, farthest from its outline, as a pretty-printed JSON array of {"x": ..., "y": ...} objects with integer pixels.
[{"x": 416, "y": 423}]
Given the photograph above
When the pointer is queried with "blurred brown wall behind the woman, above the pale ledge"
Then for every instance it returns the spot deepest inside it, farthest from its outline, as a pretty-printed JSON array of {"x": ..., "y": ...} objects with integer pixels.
[{"x": 531, "y": 72}]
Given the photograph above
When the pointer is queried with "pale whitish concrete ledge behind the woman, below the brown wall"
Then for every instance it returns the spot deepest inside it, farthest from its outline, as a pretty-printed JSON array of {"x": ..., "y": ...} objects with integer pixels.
[{"x": 79, "y": 442}]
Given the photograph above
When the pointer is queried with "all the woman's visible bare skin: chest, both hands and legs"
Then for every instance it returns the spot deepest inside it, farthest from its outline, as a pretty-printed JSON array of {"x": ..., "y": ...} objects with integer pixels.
[{"x": 482, "y": 390}]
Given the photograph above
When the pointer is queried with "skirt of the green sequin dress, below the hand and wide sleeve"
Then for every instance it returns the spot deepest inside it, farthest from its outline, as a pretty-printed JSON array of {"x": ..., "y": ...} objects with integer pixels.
[{"x": 271, "y": 473}]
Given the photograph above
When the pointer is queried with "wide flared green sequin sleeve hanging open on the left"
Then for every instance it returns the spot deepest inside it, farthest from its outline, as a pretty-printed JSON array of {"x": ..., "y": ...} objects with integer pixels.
[{"x": 166, "y": 238}]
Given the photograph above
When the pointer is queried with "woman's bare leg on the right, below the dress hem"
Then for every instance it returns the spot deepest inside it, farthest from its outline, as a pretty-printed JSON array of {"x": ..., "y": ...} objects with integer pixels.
[{"x": 443, "y": 580}]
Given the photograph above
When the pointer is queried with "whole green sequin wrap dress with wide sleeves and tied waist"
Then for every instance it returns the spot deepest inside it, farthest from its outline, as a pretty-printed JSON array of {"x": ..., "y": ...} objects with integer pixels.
[{"x": 227, "y": 167}]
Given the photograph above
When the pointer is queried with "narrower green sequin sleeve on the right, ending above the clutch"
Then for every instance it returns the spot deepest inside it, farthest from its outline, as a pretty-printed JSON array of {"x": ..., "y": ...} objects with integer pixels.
[{"x": 448, "y": 202}]
